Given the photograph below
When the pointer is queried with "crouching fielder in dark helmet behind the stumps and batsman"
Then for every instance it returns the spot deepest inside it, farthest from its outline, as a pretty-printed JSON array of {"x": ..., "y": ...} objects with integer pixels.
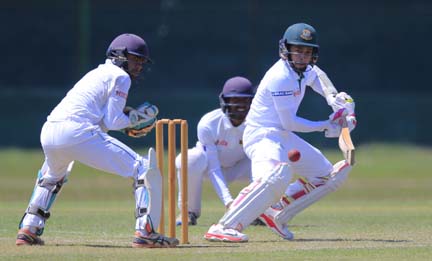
[{"x": 219, "y": 153}]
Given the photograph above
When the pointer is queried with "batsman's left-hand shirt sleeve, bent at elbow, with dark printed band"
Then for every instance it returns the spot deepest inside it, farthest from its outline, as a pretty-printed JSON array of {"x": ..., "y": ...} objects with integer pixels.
[{"x": 286, "y": 108}]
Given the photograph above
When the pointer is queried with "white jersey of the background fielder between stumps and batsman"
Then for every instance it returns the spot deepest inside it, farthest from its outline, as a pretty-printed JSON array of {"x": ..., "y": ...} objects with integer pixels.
[{"x": 216, "y": 133}]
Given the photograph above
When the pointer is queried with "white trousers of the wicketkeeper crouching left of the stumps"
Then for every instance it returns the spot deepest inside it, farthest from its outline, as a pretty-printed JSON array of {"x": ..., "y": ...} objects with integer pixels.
[{"x": 97, "y": 150}]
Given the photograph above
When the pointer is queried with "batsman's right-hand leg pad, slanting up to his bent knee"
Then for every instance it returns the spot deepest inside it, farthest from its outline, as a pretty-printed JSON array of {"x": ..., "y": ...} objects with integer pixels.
[{"x": 336, "y": 179}]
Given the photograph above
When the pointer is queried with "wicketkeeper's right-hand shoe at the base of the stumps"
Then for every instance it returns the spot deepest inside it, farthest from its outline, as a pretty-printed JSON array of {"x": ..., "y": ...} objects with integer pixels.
[{"x": 153, "y": 240}]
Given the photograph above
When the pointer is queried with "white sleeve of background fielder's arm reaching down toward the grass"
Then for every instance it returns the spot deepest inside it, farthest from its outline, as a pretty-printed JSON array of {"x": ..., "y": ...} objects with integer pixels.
[{"x": 208, "y": 140}]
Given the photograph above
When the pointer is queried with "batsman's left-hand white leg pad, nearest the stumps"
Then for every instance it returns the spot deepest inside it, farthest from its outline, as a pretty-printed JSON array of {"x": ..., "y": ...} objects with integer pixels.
[{"x": 257, "y": 197}]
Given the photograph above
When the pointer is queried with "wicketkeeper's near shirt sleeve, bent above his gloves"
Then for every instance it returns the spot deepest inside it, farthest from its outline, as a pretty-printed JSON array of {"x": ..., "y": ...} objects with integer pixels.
[{"x": 114, "y": 118}]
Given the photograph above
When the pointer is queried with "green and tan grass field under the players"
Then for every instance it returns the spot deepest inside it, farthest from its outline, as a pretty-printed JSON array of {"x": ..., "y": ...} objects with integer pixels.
[{"x": 383, "y": 212}]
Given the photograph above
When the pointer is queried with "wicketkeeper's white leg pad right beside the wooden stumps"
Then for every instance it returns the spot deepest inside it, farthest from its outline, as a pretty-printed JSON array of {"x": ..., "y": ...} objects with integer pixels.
[{"x": 148, "y": 195}]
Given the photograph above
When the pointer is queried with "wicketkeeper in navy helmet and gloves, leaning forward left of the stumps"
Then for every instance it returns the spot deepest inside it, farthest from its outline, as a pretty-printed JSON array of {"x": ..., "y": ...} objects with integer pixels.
[{"x": 76, "y": 130}]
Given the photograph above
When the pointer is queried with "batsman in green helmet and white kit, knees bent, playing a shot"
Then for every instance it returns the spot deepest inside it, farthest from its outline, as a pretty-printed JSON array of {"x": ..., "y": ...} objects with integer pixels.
[{"x": 269, "y": 136}]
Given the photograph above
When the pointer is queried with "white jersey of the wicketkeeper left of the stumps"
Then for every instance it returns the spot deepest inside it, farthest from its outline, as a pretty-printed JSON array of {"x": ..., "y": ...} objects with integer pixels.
[{"x": 99, "y": 97}]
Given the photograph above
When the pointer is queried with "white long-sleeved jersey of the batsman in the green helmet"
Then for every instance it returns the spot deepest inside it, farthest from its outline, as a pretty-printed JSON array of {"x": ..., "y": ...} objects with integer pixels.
[{"x": 278, "y": 98}]
